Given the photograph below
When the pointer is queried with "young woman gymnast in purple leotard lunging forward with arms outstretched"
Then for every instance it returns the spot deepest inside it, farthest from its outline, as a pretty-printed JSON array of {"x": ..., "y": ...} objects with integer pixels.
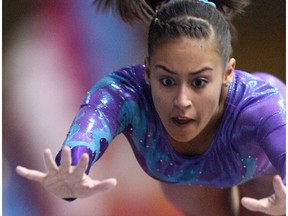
[{"x": 200, "y": 127}]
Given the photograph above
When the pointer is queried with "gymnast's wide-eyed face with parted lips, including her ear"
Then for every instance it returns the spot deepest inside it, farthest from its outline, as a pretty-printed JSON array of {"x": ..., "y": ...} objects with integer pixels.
[{"x": 187, "y": 78}]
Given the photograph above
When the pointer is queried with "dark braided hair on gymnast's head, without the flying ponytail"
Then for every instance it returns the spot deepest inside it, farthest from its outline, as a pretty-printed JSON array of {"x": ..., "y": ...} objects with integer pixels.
[{"x": 193, "y": 19}]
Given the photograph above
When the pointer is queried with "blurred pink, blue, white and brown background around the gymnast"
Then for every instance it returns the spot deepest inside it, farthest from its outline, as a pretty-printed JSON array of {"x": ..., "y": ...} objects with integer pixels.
[{"x": 53, "y": 51}]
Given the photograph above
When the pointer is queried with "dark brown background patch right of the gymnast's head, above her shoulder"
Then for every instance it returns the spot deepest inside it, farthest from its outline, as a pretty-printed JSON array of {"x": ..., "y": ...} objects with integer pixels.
[{"x": 261, "y": 44}]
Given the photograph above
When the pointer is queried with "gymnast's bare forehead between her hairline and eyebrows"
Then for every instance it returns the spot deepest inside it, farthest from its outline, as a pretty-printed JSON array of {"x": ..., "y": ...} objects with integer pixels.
[{"x": 184, "y": 55}]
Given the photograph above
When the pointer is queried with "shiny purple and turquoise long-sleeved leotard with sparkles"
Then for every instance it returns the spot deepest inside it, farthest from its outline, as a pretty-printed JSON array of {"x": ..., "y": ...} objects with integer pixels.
[{"x": 250, "y": 141}]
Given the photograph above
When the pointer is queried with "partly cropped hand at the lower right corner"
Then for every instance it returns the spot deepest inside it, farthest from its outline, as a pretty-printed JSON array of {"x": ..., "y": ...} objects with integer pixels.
[{"x": 273, "y": 205}]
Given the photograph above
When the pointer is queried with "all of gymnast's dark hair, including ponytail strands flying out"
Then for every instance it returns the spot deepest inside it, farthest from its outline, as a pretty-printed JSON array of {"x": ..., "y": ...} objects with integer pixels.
[{"x": 145, "y": 10}]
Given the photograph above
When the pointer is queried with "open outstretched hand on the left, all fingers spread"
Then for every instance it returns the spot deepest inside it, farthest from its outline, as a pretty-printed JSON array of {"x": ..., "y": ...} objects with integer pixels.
[{"x": 66, "y": 181}]
